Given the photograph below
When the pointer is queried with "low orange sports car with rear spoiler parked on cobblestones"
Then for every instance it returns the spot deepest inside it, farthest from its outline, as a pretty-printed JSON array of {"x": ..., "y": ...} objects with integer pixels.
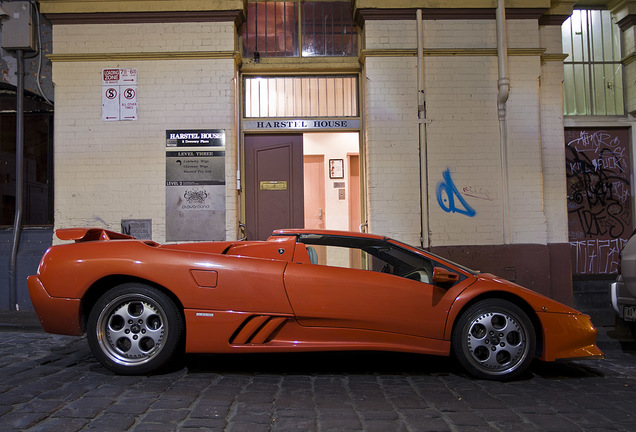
[{"x": 142, "y": 303}]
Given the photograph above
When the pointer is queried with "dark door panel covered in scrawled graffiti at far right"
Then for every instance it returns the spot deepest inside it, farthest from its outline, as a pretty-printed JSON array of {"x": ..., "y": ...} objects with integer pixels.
[{"x": 599, "y": 197}]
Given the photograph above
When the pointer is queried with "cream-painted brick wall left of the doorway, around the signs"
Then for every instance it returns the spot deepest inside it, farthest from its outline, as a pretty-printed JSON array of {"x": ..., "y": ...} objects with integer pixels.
[{"x": 108, "y": 171}]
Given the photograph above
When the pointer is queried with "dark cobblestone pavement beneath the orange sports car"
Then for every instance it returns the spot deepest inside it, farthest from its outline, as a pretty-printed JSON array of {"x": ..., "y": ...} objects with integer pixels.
[{"x": 53, "y": 383}]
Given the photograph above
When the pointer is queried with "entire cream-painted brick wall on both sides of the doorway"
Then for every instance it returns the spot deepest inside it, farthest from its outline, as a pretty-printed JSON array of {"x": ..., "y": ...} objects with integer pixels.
[{"x": 108, "y": 171}]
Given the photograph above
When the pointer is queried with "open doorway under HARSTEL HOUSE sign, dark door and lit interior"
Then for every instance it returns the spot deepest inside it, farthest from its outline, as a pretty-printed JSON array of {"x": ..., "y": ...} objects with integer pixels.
[{"x": 290, "y": 182}]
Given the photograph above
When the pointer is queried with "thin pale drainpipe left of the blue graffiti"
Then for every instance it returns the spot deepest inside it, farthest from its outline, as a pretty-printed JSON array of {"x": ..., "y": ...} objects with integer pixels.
[{"x": 421, "y": 114}]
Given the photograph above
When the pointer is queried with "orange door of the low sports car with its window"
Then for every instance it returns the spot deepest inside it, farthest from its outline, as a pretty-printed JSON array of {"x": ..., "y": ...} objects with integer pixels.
[{"x": 376, "y": 297}]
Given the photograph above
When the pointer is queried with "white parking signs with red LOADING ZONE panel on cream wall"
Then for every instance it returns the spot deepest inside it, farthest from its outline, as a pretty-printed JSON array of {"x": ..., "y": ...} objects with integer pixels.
[{"x": 119, "y": 94}]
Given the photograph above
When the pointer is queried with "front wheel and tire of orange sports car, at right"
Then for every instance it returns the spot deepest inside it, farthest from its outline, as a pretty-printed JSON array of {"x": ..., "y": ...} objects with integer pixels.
[{"x": 494, "y": 339}]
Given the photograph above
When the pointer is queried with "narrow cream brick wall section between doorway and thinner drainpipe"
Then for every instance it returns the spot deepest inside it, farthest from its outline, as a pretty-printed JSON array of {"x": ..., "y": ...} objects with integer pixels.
[{"x": 392, "y": 148}]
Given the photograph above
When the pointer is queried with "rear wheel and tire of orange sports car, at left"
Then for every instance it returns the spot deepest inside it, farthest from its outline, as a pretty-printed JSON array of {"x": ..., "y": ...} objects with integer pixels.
[{"x": 135, "y": 329}]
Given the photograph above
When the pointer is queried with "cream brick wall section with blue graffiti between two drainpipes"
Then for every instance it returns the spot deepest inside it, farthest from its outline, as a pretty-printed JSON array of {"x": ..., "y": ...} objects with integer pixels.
[{"x": 463, "y": 141}]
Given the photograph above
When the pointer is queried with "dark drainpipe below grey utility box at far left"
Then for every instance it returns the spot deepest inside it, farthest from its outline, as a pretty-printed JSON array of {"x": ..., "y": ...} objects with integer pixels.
[{"x": 19, "y": 182}]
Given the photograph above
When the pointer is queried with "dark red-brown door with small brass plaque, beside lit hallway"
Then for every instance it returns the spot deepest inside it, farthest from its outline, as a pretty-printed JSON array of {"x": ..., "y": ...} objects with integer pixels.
[{"x": 273, "y": 184}]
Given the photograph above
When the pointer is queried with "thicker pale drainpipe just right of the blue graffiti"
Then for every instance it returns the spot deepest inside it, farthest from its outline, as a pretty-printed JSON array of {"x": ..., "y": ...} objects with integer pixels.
[{"x": 503, "y": 84}]
